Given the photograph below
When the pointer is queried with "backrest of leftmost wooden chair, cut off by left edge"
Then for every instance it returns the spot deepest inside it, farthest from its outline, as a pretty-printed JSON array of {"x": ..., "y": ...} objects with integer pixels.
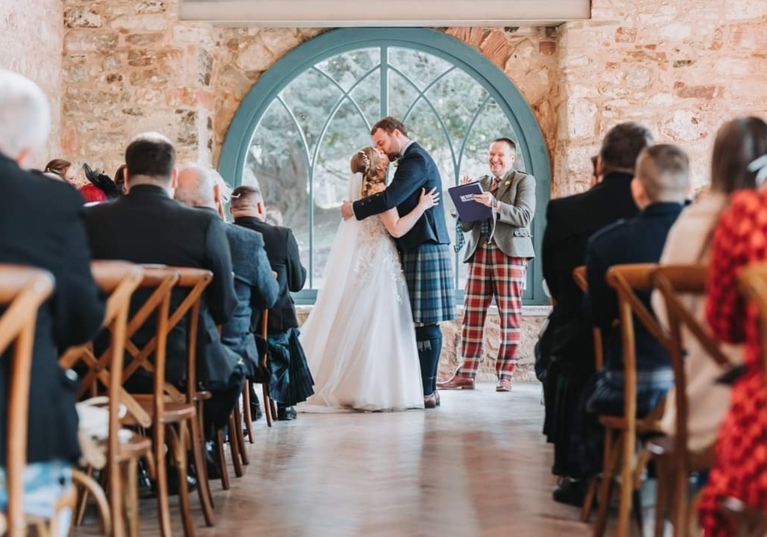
[{"x": 22, "y": 291}]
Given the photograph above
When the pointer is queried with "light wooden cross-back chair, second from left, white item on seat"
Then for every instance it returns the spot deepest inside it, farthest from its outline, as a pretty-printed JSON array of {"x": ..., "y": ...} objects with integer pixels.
[{"x": 122, "y": 450}]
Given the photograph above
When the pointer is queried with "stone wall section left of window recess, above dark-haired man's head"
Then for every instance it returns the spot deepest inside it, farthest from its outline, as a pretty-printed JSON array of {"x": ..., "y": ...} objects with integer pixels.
[{"x": 131, "y": 67}]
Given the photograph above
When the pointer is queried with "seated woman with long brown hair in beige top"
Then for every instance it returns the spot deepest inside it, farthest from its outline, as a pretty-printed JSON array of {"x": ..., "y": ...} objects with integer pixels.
[{"x": 738, "y": 143}]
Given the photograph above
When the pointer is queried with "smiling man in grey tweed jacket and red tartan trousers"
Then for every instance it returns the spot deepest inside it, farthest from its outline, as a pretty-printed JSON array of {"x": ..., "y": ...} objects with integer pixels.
[{"x": 497, "y": 251}]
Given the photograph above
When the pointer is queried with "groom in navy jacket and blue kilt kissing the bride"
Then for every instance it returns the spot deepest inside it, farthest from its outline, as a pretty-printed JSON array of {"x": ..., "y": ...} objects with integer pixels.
[{"x": 426, "y": 258}]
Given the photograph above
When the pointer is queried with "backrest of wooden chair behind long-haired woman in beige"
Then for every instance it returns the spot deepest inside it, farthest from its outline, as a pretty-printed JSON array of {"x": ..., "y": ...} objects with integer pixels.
[{"x": 673, "y": 282}]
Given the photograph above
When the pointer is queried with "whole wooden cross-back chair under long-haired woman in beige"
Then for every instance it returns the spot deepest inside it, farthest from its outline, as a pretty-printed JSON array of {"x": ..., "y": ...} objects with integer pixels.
[{"x": 674, "y": 460}]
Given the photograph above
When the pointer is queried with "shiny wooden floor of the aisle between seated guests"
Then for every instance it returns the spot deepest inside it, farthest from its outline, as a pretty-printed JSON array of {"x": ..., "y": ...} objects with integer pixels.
[{"x": 476, "y": 466}]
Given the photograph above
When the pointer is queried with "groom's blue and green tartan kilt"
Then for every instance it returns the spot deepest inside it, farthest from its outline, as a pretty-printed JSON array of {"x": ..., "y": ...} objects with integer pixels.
[{"x": 429, "y": 276}]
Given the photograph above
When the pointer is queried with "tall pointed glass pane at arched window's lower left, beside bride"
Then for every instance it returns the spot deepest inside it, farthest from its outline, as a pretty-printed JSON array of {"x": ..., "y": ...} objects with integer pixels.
[{"x": 278, "y": 165}]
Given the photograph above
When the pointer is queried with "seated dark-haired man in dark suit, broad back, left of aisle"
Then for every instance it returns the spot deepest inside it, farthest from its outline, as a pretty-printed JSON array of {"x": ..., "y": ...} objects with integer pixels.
[{"x": 148, "y": 226}]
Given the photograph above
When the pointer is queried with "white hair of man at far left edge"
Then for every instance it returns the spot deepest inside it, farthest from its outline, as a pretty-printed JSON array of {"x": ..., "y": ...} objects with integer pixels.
[{"x": 25, "y": 115}]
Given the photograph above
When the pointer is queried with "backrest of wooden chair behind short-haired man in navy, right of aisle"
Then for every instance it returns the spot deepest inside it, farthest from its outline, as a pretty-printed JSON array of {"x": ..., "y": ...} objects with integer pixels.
[{"x": 626, "y": 280}]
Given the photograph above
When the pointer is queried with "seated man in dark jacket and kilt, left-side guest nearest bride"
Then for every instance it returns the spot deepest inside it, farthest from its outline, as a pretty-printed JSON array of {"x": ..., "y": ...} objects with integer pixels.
[{"x": 247, "y": 208}]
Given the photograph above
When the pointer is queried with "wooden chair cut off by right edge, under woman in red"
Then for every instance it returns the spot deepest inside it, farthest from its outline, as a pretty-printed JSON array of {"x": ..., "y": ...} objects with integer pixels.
[{"x": 750, "y": 521}]
